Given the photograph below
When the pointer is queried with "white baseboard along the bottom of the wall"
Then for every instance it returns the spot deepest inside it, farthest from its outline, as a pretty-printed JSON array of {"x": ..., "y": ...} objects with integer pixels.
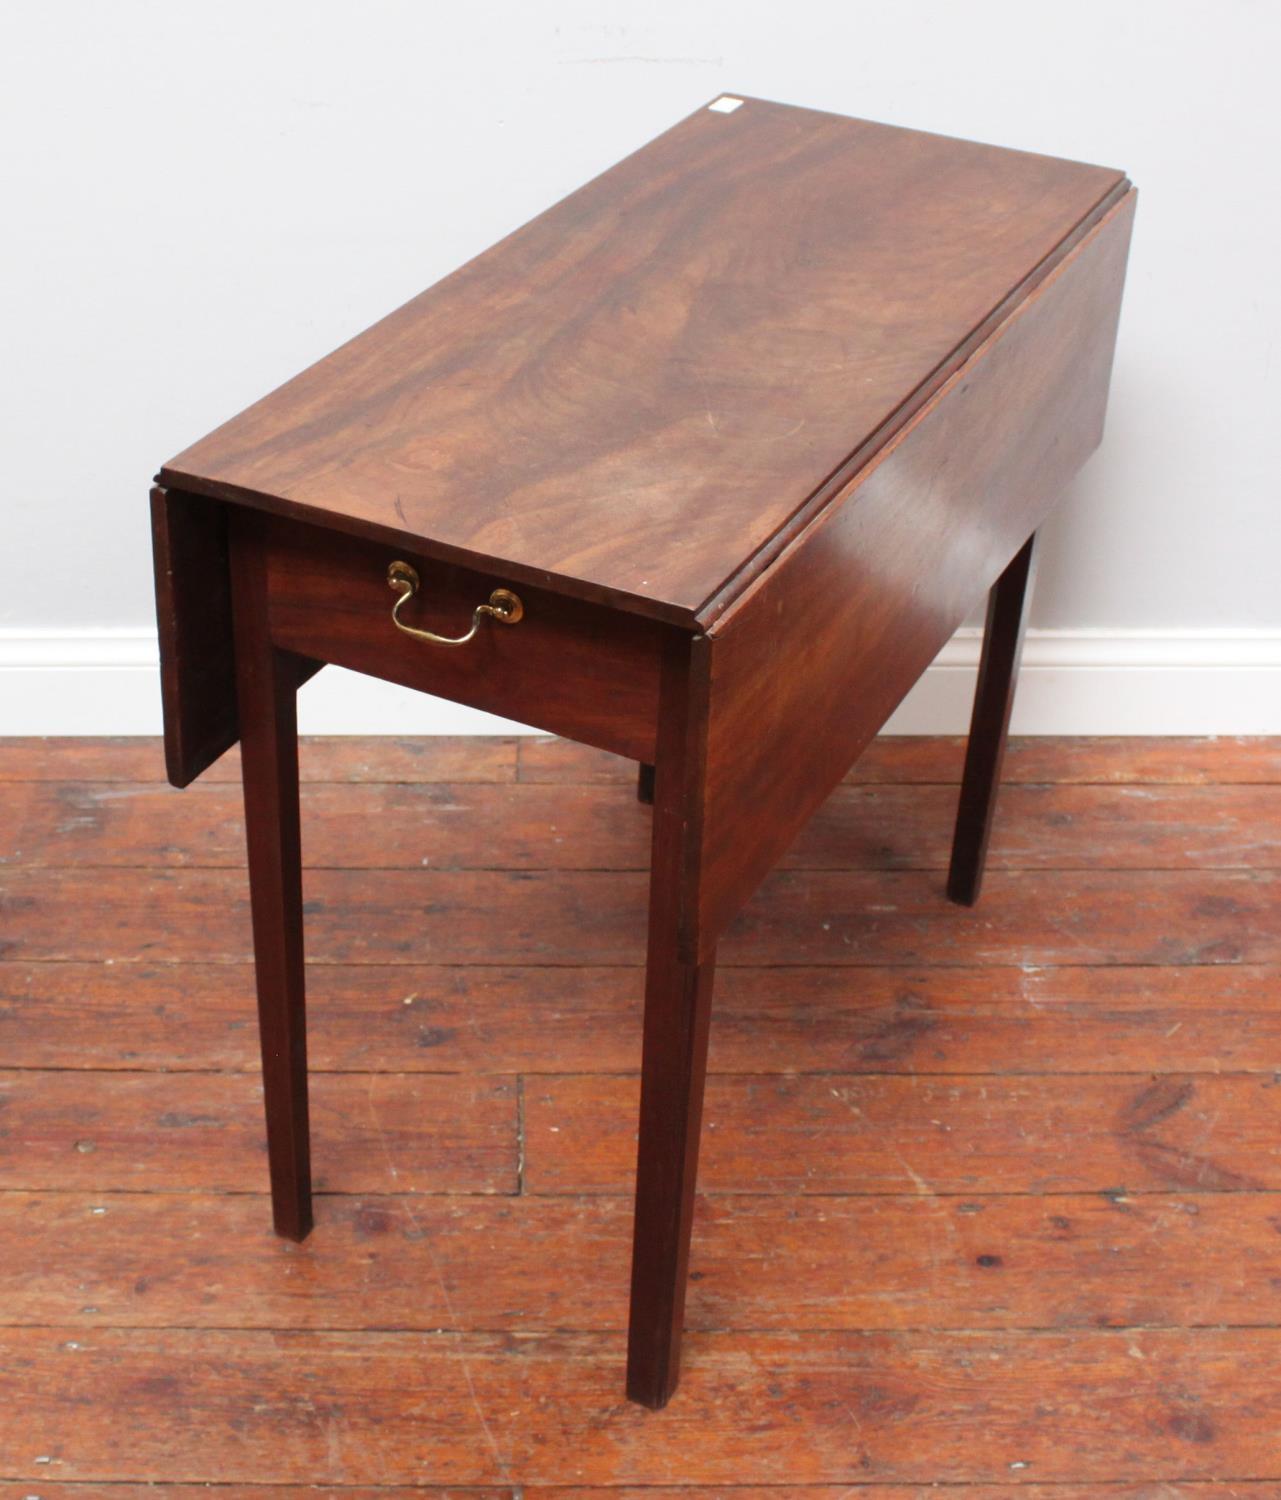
[{"x": 1073, "y": 683}]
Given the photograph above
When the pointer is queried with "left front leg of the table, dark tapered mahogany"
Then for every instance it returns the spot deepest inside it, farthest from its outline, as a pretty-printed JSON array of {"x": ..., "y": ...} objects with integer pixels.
[{"x": 269, "y": 754}]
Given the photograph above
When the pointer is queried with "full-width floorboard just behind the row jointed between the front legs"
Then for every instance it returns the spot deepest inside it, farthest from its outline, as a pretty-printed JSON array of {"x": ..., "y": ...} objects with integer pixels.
[{"x": 554, "y": 1019}]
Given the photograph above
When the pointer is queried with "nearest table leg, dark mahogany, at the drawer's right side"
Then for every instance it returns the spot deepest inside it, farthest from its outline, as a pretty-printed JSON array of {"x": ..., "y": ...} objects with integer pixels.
[{"x": 674, "y": 1060}]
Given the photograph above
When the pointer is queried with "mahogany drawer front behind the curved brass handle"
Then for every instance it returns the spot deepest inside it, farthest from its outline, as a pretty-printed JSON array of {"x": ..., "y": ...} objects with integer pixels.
[{"x": 569, "y": 668}]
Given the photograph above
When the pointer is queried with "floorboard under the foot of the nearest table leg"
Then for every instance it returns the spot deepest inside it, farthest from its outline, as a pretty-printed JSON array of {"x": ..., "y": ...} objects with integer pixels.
[{"x": 847, "y": 1408}]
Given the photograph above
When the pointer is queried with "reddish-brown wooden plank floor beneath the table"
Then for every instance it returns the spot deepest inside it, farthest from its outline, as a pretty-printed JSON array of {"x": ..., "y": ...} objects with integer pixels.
[{"x": 991, "y": 1199}]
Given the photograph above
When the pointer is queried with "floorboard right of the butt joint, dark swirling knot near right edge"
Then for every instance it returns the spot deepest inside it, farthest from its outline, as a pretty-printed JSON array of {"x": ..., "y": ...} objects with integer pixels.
[{"x": 943, "y": 1136}]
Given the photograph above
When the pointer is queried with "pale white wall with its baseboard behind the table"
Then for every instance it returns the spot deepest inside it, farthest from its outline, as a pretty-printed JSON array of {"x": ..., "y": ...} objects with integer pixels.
[{"x": 202, "y": 199}]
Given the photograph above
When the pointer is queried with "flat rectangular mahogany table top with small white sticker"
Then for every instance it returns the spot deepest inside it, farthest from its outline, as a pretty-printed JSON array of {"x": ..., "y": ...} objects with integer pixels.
[{"x": 638, "y": 394}]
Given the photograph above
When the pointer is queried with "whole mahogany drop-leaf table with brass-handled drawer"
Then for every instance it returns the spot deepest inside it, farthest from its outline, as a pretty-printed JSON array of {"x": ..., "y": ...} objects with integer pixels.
[{"x": 703, "y": 466}]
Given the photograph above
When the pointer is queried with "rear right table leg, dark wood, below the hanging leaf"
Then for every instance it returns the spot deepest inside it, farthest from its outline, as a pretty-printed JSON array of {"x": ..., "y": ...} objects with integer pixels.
[{"x": 998, "y": 673}]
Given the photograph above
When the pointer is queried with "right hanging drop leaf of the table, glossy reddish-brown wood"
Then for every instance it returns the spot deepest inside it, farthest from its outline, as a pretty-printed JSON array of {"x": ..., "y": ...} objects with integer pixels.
[{"x": 811, "y": 661}]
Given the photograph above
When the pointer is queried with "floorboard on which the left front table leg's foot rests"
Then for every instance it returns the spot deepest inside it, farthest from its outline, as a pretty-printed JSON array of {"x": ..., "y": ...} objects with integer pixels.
[{"x": 760, "y": 1261}]
